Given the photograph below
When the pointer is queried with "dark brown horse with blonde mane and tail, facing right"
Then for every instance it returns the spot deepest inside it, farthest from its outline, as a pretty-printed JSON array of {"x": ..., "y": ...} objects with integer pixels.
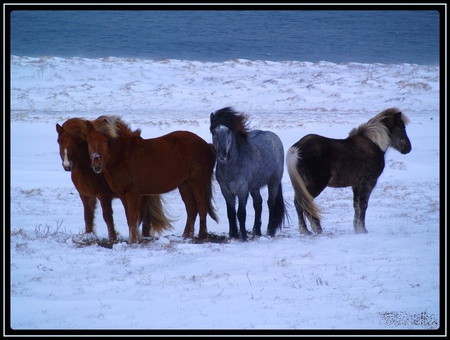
[{"x": 315, "y": 162}]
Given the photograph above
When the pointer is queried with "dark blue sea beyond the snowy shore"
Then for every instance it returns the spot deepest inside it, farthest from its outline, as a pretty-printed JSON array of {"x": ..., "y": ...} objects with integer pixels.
[{"x": 337, "y": 36}]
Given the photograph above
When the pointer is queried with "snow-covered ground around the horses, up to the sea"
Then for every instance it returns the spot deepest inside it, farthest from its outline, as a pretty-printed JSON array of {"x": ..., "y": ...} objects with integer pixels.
[{"x": 387, "y": 280}]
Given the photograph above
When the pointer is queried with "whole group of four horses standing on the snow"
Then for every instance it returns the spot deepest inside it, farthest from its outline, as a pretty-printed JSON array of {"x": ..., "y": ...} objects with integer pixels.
[{"x": 107, "y": 160}]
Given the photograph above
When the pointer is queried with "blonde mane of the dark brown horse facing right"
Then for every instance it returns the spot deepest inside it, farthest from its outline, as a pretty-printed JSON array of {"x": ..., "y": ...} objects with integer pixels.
[{"x": 376, "y": 130}]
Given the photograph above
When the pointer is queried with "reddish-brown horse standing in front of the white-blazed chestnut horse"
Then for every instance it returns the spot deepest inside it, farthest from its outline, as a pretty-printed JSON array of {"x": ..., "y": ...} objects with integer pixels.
[{"x": 134, "y": 166}]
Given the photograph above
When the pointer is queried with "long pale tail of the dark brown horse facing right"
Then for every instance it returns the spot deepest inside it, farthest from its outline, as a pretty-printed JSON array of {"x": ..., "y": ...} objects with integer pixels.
[{"x": 302, "y": 195}]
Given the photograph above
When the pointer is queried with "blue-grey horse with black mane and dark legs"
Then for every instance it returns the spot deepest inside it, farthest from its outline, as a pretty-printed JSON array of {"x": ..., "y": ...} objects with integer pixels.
[{"x": 248, "y": 160}]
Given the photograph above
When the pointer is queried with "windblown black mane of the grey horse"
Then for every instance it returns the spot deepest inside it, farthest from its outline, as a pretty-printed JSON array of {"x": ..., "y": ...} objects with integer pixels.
[{"x": 233, "y": 120}]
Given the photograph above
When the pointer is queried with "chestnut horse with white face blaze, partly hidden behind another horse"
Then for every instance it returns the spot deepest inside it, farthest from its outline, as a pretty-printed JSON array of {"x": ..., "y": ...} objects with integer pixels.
[{"x": 74, "y": 154}]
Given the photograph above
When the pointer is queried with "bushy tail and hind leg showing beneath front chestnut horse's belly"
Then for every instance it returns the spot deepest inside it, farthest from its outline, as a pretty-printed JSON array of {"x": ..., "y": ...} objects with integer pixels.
[{"x": 155, "y": 216}]
